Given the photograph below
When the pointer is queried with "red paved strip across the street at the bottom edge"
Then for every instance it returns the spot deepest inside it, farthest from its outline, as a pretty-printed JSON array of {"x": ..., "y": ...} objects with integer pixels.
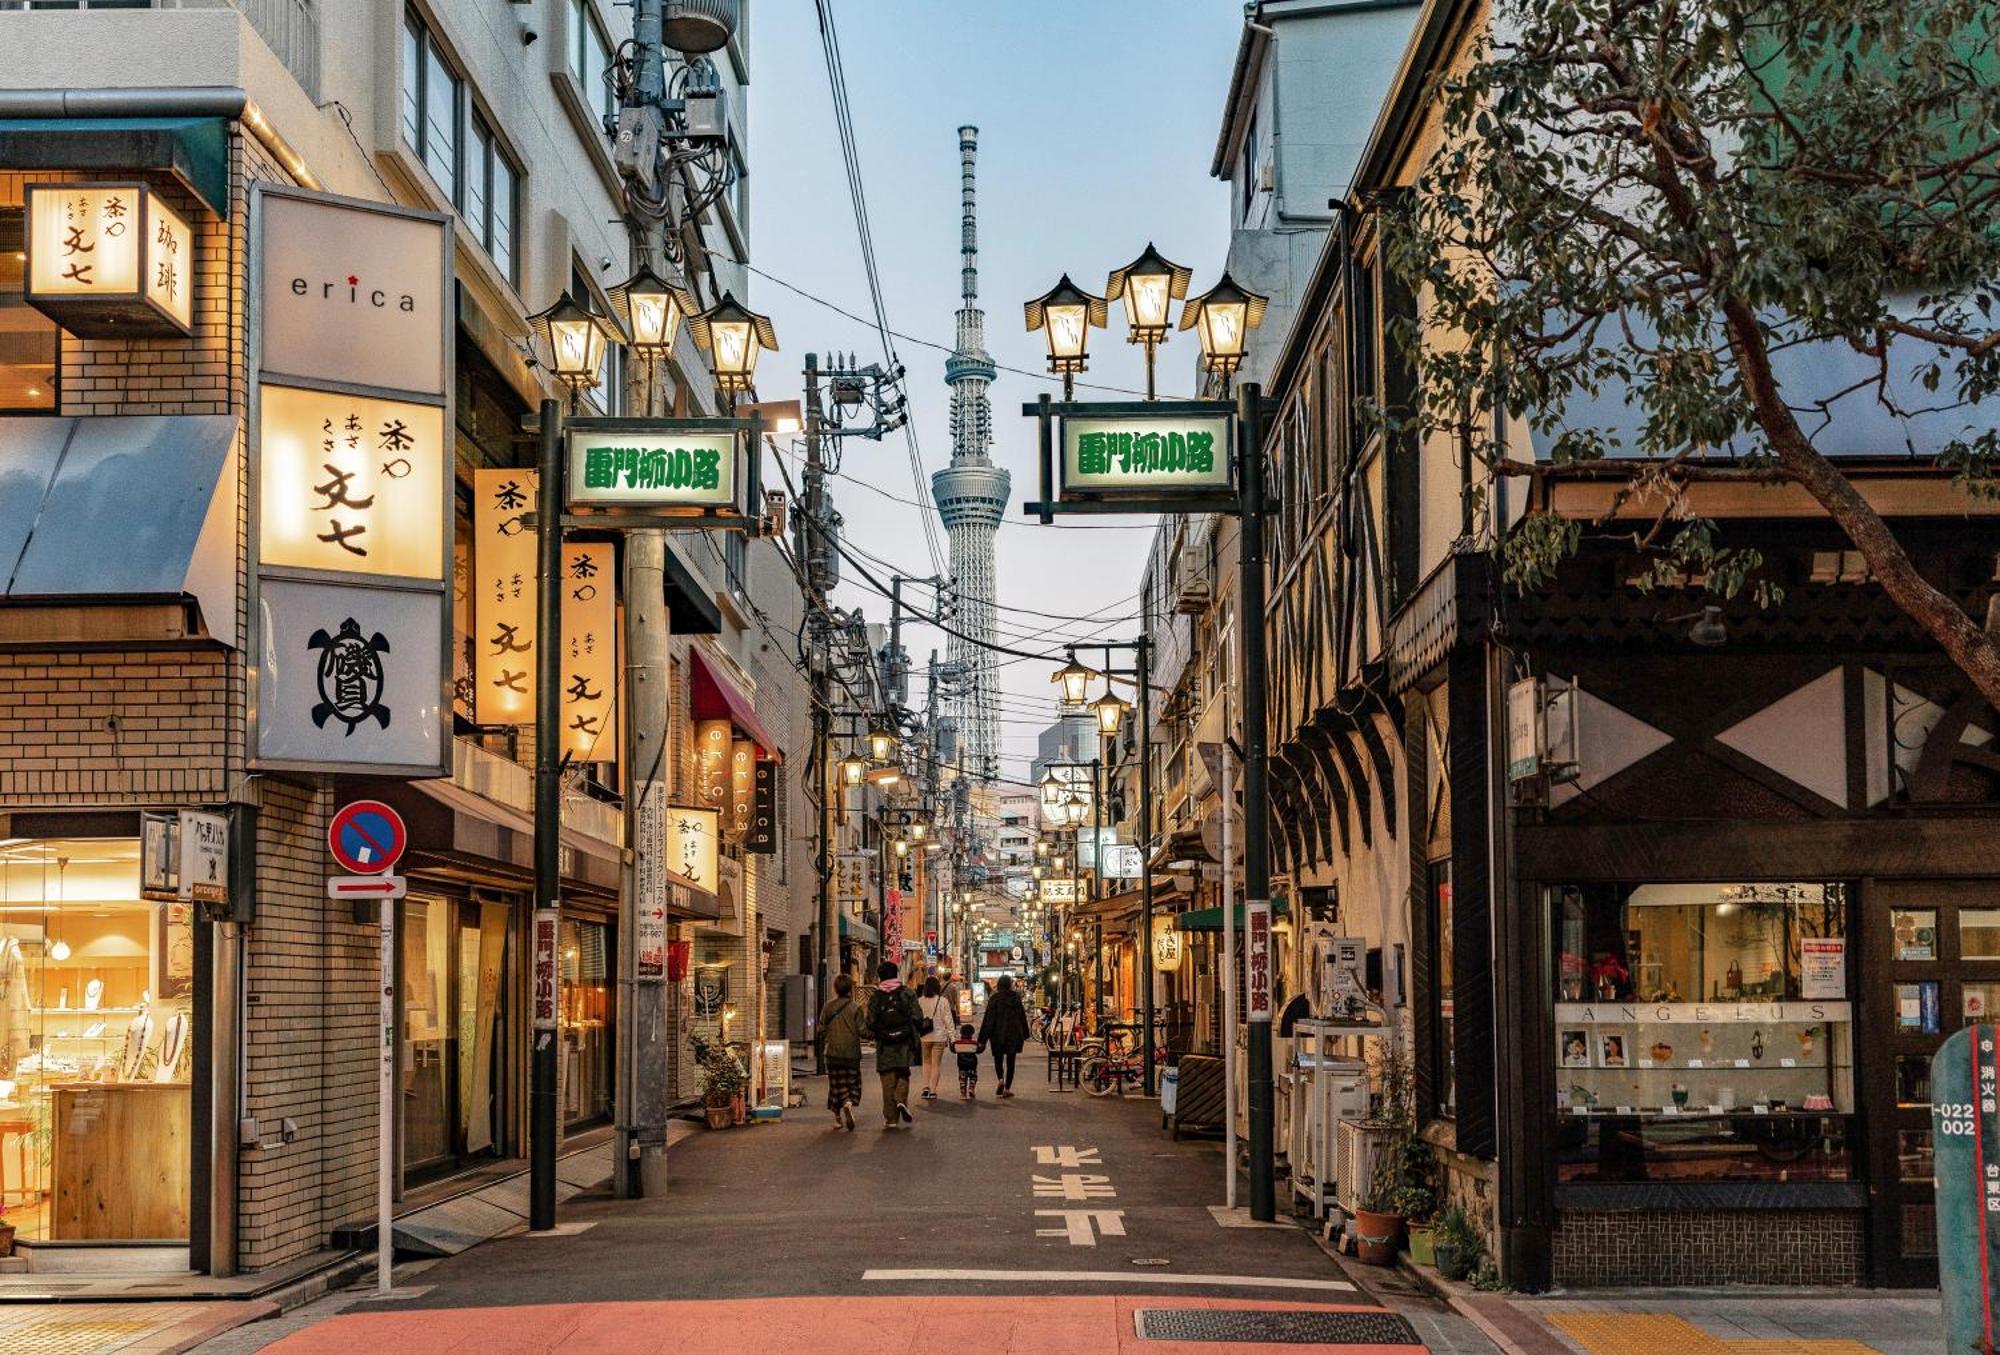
[{"x": 887, "y": 1326}]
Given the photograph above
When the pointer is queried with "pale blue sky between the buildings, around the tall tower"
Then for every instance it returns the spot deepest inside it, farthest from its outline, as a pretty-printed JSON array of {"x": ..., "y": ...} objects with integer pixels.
[{"x": 1097, "y": 127}]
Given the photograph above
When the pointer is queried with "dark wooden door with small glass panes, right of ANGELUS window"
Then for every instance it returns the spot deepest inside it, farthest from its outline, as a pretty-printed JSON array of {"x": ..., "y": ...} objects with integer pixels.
[{"x": 1933, "y": 966}]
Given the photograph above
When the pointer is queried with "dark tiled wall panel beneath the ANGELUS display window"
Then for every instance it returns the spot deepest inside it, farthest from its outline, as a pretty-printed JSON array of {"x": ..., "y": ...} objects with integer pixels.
[{"x": 1663, "y": 1248}]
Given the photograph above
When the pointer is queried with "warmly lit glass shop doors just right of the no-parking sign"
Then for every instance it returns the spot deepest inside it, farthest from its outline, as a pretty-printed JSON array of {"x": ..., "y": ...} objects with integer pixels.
[{"x": 455, "y": 1034}]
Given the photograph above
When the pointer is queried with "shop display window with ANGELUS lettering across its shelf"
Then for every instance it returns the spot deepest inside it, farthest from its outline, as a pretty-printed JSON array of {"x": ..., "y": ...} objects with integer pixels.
[{"x": 1705, "y": 1032}]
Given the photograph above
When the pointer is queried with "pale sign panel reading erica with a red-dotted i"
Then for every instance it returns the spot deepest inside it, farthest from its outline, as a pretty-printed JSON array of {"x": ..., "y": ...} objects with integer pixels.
[{"x": 353, "y": 293}]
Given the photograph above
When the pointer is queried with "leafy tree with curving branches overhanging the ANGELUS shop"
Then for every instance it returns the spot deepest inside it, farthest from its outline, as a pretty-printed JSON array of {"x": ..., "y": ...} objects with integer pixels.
[{"x": 1703, "y": 241}]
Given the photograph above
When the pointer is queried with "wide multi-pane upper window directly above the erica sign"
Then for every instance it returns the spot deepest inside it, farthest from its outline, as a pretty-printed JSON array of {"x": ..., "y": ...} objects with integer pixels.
[{"x": 459, "y": 147}]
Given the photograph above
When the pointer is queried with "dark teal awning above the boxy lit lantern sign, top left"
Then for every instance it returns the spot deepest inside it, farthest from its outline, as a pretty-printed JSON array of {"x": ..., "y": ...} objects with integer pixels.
[{"x": 195, "y": 151}]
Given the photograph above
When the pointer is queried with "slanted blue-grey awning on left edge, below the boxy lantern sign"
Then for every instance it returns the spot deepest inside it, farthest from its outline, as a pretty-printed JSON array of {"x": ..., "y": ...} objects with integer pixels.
[{"x": 161, "y": 489}]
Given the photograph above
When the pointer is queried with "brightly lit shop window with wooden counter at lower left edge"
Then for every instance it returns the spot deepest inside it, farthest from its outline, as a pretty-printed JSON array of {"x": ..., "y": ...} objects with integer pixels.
[{"x": 97, "y": 1044}]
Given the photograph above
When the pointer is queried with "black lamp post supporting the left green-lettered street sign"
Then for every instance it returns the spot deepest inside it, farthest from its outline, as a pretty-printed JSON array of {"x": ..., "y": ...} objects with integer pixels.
[{"x": 547, "y": 818}]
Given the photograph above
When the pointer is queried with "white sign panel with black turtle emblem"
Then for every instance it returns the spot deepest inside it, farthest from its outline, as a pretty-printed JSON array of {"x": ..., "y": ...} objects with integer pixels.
[{"x": 355, "y": 673}]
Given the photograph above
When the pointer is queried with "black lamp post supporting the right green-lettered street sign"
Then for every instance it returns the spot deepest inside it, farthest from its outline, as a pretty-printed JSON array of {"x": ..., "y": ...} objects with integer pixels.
[{"x": 1257, "y": 804}]
